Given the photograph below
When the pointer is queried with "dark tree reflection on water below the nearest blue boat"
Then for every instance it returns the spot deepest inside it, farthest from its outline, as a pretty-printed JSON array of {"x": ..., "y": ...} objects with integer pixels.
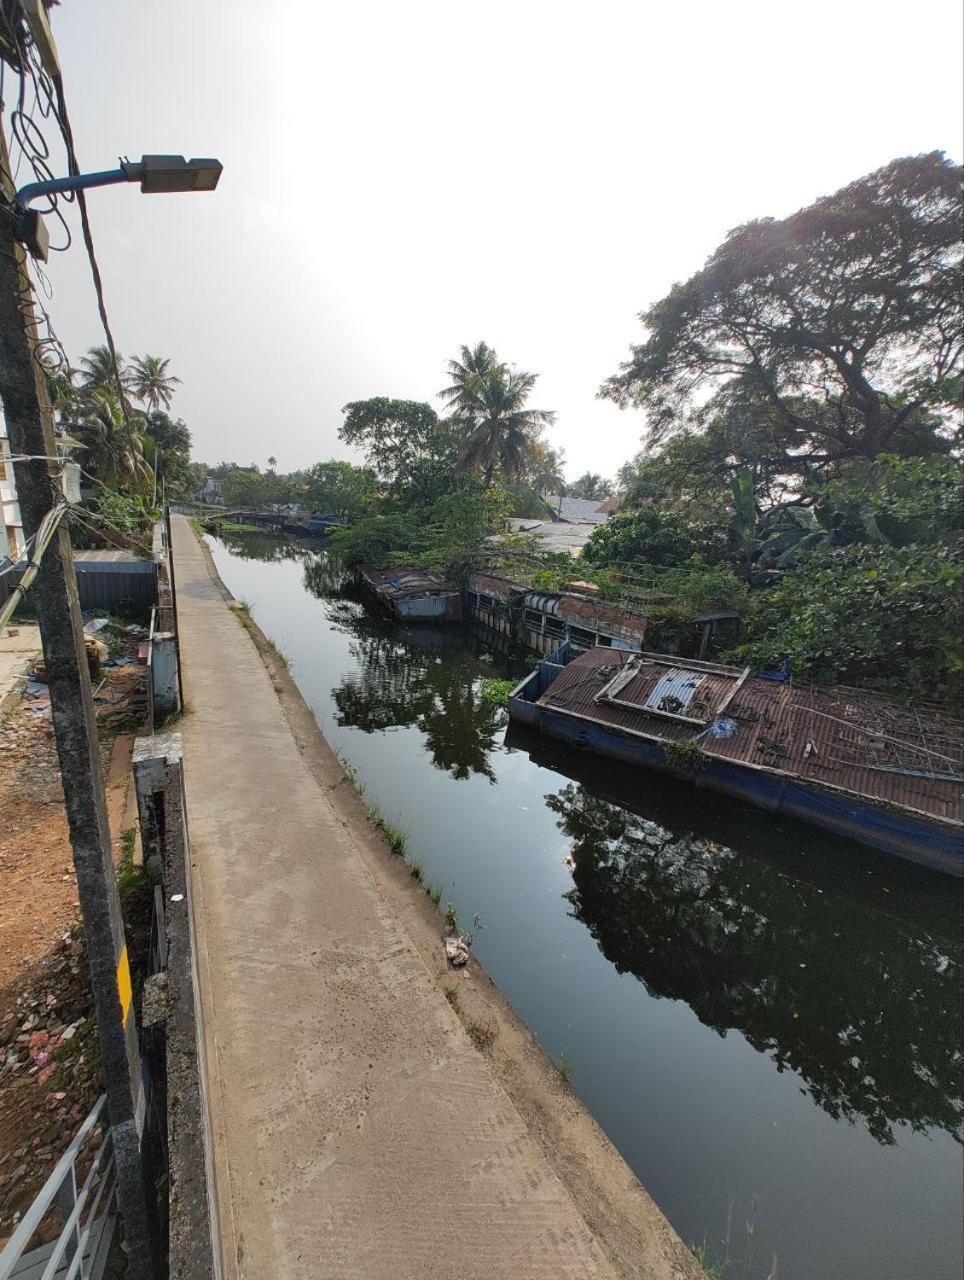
[{"x": 862, "y": 1005}]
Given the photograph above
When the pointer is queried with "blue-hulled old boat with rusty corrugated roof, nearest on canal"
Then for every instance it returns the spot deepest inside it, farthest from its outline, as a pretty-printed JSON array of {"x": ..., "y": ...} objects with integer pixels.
[{"x": 844, "y": 760}]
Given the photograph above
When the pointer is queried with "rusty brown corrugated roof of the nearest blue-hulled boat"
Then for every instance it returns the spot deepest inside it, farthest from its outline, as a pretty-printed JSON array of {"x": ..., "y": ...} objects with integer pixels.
[{"x": 839, "y": 738}]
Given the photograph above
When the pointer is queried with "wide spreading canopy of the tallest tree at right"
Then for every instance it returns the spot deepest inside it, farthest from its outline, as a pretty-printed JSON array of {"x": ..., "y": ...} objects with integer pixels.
[{"x": 843, "y": 319}]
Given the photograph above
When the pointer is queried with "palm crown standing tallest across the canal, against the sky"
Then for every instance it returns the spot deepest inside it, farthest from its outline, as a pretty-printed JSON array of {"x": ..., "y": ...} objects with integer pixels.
[{"x": 488, "y": 400}]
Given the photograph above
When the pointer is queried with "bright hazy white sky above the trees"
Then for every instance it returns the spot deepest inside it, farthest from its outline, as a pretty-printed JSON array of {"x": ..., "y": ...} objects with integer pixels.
[{"x": 401, "y": 179}]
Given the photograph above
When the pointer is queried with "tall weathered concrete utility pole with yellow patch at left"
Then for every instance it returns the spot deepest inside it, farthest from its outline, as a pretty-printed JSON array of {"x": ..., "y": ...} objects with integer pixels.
[{"x": 31, "y": 429}]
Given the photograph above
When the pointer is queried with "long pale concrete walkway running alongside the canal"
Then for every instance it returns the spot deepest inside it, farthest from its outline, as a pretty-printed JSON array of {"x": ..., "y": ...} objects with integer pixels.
[{"x": 358, "y": 1131}]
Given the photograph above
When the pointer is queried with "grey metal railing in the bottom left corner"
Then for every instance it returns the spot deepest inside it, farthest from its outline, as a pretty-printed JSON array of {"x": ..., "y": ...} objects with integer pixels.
[{"x": 80, "y": 1252}]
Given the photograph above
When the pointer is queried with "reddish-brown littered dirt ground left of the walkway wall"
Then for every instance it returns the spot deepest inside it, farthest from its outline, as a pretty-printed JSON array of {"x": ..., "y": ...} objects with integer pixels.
[{"x": 49, "y": 1054}]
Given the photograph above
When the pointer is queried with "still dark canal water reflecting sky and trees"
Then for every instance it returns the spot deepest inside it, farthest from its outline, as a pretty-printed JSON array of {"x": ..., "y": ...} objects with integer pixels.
[{"x": 765, "y": 1021}]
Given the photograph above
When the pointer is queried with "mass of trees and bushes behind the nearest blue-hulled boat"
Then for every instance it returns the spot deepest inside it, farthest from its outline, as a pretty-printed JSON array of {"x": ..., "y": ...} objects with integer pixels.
[{"x": 801, "y": 465}]
